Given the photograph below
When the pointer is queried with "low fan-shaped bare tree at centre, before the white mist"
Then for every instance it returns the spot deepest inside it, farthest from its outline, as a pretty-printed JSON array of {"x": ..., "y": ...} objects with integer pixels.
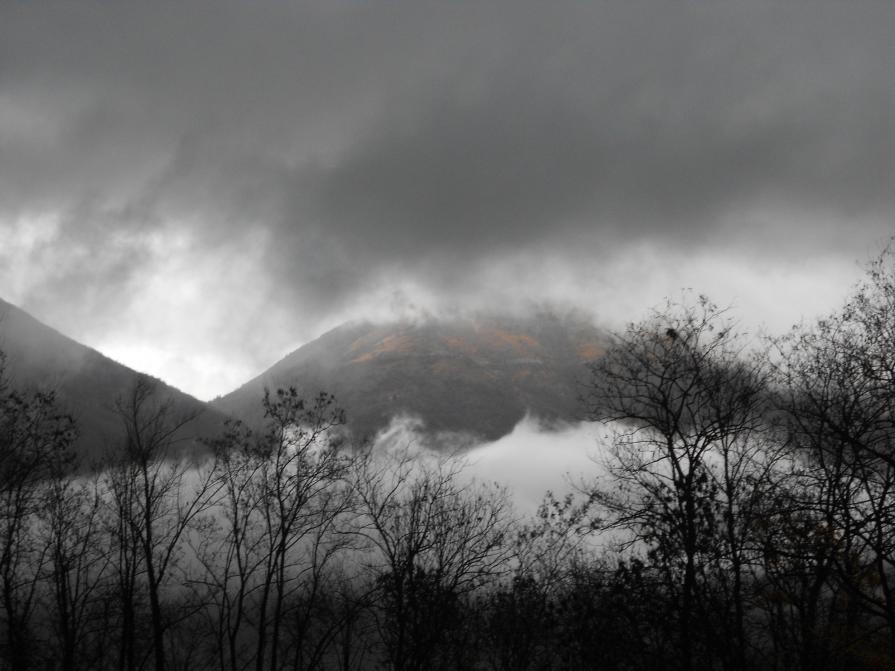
[{"x": 431, "y": 541}]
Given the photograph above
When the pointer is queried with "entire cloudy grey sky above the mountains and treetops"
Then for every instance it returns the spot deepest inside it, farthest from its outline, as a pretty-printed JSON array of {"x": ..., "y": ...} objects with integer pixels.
[{"x": 197, "y": 188}]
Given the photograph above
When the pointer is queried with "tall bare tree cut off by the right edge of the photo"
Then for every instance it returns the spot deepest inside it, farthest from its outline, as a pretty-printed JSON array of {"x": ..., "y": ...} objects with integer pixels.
[{"x": 838, "y": 377}]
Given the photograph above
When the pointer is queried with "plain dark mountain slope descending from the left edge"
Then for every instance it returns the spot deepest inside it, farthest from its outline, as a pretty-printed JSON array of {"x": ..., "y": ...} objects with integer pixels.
[{"x": 87, "y": 384}]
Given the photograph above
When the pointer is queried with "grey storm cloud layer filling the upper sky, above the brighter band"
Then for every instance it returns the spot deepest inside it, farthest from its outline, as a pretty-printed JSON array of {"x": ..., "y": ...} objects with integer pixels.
[{"x": 427, "y": 139}]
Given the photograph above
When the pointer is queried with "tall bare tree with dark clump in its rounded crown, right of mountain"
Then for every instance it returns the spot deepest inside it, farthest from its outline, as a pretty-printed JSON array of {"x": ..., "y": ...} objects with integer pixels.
[{"x": 687, "y": 407}]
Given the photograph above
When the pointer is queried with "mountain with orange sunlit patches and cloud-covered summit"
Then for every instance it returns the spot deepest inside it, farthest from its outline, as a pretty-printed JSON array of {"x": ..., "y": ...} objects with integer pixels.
[{"x": 473, "y": 377}]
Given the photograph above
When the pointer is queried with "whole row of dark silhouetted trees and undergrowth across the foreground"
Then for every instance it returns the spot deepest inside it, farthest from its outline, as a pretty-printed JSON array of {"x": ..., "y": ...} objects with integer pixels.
[{"x": 744, "y": 518}]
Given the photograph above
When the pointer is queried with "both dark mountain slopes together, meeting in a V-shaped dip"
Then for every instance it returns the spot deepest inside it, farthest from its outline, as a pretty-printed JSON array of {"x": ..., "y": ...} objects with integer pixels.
[{"x": 467, "y": 379}]
